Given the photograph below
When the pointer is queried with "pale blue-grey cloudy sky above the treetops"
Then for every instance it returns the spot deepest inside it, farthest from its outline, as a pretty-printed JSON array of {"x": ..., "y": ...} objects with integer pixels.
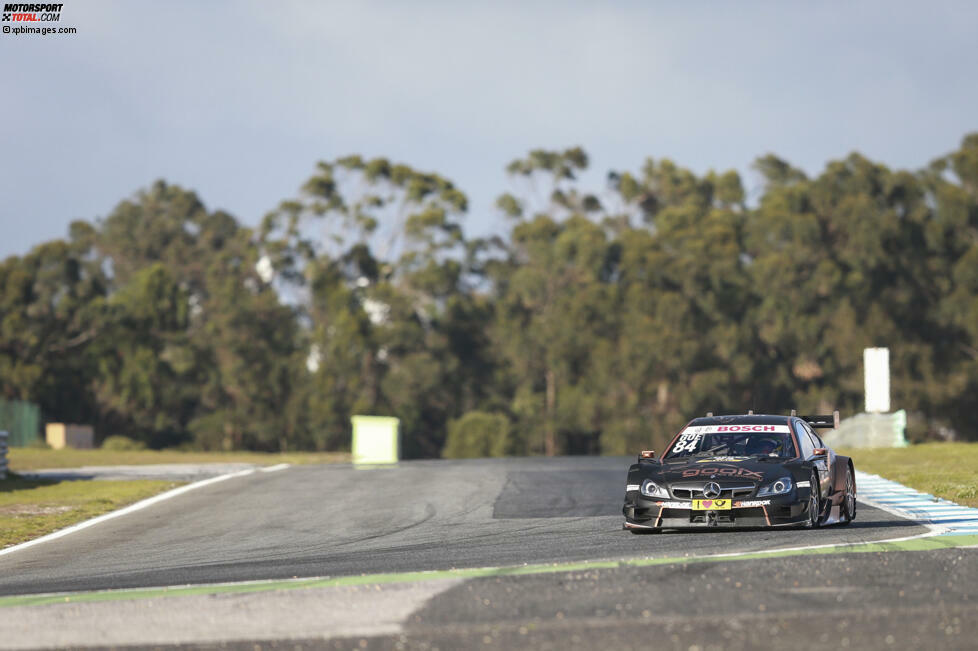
[{"x": 238, "y": 100}]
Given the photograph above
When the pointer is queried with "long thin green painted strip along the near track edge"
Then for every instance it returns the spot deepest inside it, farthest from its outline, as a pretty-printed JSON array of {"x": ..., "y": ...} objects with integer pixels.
[{"x": 913, "y": 544}]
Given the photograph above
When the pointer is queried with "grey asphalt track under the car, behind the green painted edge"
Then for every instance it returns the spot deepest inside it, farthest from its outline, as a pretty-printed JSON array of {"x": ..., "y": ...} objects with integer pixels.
[{"x": 428, "y": 515}]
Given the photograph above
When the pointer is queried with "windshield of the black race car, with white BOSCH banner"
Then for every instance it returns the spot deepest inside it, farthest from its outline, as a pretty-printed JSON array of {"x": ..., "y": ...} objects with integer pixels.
[{"x": 751, "y": 440}]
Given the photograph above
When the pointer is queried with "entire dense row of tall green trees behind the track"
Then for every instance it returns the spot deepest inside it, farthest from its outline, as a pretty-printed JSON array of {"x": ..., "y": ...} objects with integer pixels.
[{"x": 601, "y": 322}]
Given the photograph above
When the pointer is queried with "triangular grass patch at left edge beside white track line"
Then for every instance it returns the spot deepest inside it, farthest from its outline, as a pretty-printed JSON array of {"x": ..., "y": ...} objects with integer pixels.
[{"x": 30, "y": 509}]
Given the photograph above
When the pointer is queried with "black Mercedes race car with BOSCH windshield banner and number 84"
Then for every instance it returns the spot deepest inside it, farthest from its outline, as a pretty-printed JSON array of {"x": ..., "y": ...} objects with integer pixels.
[{"x": 742, "y": 471}]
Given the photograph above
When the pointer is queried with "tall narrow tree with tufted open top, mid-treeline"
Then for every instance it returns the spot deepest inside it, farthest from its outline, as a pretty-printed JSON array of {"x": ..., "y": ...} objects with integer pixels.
[{"x": 552, "y": 297}]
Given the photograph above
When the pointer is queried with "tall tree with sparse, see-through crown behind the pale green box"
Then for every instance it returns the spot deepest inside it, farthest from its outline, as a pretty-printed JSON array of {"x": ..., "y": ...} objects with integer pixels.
[{"x": 376, "y": 255}]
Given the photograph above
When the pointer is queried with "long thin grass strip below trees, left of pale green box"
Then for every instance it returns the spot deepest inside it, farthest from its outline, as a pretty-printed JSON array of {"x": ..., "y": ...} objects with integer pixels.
[{"x": 23, "y": 459}]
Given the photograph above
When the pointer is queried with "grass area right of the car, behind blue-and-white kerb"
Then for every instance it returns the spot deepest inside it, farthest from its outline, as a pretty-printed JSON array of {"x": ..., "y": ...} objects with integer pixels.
[{"x": 948, "y": 470}]
